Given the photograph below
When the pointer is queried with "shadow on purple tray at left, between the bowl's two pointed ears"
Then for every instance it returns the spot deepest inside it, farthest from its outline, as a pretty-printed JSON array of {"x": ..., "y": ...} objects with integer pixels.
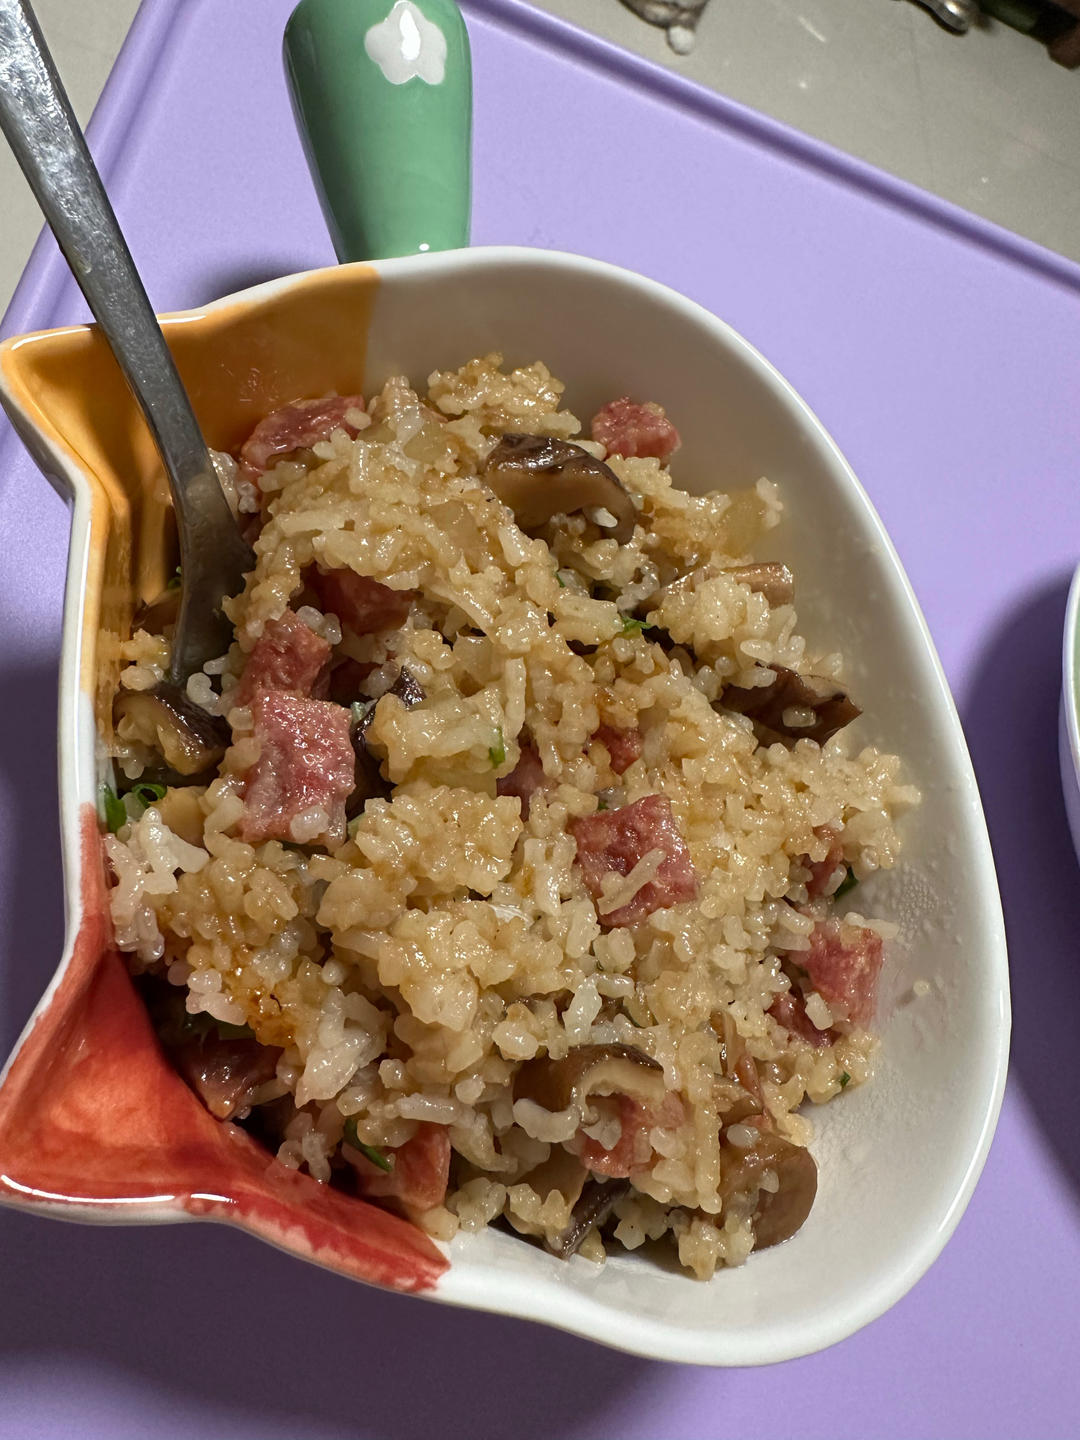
[{"x": 32, "y": 901}]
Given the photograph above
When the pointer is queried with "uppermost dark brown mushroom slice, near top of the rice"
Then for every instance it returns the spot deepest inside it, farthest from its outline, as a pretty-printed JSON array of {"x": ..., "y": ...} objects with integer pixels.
[{"x": 541, "y": 477}]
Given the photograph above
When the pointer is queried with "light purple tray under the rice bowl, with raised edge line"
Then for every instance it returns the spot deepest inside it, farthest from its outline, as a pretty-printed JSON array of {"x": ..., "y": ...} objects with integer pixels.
[{"x": 944, "y": 356}]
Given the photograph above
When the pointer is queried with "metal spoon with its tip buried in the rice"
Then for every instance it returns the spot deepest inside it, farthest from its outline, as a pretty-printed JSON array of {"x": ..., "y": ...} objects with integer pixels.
[{"x": 41, "y": 127}]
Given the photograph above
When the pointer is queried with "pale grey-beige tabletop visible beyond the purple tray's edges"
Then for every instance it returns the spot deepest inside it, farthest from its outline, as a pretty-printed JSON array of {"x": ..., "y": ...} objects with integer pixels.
[{"x": 986, "y": 120}]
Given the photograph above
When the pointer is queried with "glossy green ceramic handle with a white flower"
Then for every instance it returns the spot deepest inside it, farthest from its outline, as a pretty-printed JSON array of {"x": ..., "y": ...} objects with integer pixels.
[{"x": 382, "y": 93}]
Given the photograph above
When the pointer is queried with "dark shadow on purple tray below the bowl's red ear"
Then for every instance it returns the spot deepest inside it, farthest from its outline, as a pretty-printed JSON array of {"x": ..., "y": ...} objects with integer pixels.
[{"x": 238, "y": 1331}]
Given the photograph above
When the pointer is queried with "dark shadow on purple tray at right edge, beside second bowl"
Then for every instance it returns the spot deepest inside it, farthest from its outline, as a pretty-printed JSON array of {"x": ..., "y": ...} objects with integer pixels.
[{"x": 1010, "y": 718}]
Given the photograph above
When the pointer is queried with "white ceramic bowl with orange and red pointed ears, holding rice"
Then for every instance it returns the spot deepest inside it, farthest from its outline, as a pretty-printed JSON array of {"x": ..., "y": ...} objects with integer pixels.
[{"x": 94, "y": 1125}]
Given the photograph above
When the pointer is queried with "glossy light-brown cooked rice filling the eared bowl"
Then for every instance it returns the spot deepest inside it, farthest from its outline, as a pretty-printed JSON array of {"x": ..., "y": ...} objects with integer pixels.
[{"x": 410, "y": 971}]
